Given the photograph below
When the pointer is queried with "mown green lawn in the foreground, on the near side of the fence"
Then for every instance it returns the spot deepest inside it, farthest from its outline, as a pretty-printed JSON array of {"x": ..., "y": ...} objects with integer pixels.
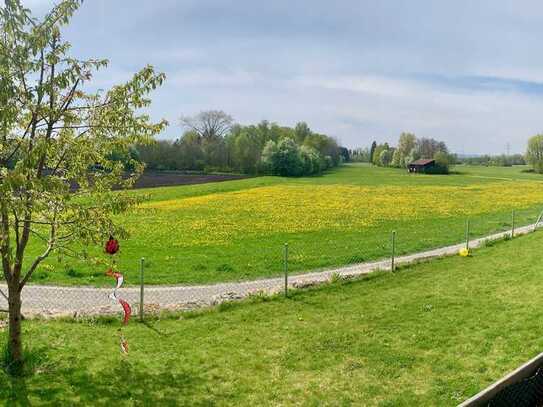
[{"x": 431, "y": 334}]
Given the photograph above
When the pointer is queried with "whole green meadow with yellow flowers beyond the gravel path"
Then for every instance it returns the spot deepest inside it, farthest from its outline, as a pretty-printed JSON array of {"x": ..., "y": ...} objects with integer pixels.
[{"x": 236, "y": 230}]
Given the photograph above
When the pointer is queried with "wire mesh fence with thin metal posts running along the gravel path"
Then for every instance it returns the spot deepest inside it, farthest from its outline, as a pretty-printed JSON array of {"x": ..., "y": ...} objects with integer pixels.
[{"x": 270, "y": 267}]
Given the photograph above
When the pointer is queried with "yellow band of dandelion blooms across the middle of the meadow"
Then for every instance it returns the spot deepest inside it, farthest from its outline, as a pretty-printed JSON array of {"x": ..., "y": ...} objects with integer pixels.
[{"x": 218, "y": 218}]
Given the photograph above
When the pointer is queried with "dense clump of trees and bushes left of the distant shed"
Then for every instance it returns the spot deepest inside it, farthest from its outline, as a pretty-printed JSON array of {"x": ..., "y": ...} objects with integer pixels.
[{"x": 212, "y": 142}]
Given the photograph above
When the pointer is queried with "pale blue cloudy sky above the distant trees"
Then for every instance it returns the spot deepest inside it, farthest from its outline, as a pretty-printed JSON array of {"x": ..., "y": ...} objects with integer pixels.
[{"x": 467, "y": 72}]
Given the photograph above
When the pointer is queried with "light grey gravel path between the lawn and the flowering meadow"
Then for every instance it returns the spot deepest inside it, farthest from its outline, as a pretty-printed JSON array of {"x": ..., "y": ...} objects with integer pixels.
[{"x": 51, "y": 300}]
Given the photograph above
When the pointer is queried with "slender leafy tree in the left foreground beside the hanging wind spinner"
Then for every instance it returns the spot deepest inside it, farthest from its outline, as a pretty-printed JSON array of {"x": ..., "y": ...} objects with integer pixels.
[{"x": 56, "y": 135}]
